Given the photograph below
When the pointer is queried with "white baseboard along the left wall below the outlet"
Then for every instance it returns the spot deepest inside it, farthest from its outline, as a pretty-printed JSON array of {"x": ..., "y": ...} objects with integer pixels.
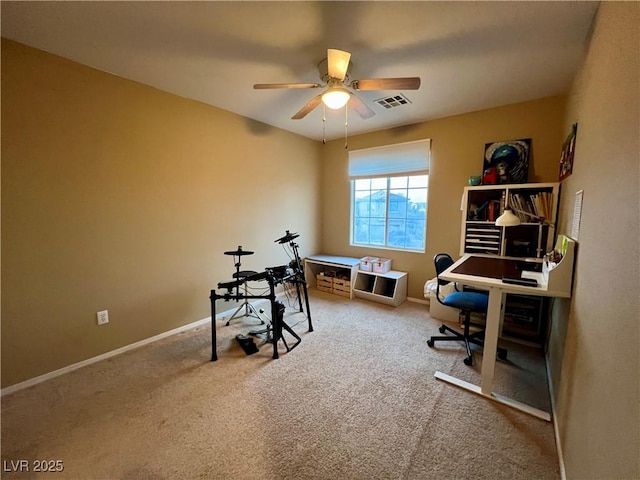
[{"x": 112, "y": 353}]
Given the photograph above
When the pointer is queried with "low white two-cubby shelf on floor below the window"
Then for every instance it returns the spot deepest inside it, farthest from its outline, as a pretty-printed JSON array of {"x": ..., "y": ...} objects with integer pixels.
[{"x": 389, "y": 288}]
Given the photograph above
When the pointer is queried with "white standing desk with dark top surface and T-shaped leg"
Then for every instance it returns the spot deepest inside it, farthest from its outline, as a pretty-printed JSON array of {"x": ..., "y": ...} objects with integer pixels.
[{"x": 482, "y": 272}]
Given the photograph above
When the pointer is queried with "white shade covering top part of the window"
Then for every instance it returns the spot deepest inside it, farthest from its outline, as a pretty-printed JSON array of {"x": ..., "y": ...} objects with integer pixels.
[{"x": 400, "y": 158}]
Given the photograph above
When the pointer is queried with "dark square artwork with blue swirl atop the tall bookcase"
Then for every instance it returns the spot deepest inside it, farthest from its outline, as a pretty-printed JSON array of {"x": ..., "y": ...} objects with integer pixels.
[{"x": 507, "y": 161}]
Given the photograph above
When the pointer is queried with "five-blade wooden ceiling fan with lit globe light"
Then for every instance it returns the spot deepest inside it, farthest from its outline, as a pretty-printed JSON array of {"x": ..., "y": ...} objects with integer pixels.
[{"x": 334, "y": 72}]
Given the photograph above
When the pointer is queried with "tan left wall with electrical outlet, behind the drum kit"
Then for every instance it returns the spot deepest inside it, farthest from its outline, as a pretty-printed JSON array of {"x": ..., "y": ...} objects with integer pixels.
[{"x": 119, "y": 196}]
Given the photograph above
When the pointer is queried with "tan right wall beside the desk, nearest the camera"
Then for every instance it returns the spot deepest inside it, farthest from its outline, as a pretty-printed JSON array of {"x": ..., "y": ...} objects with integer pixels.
[{"x": 594, "y": 349}]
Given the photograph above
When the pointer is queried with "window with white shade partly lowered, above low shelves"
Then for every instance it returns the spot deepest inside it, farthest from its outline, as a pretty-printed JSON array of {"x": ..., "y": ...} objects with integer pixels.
[{"x": 389, "y": 188}]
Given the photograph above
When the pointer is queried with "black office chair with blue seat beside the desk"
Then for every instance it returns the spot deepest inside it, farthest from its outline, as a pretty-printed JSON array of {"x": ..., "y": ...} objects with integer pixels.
[{"x": 467, "y": 303}]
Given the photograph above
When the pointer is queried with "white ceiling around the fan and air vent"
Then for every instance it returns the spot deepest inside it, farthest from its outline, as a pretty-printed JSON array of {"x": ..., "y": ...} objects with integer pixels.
[{"x": 469, "y": 55}]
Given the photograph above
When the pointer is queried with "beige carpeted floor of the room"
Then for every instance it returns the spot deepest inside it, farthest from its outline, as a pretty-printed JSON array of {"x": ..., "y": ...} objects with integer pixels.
[{"x": 356, "y": 399}]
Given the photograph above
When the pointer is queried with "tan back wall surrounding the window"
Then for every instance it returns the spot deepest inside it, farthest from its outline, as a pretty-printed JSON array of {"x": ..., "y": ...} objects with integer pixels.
[{"x": 457, "y": 147}]
